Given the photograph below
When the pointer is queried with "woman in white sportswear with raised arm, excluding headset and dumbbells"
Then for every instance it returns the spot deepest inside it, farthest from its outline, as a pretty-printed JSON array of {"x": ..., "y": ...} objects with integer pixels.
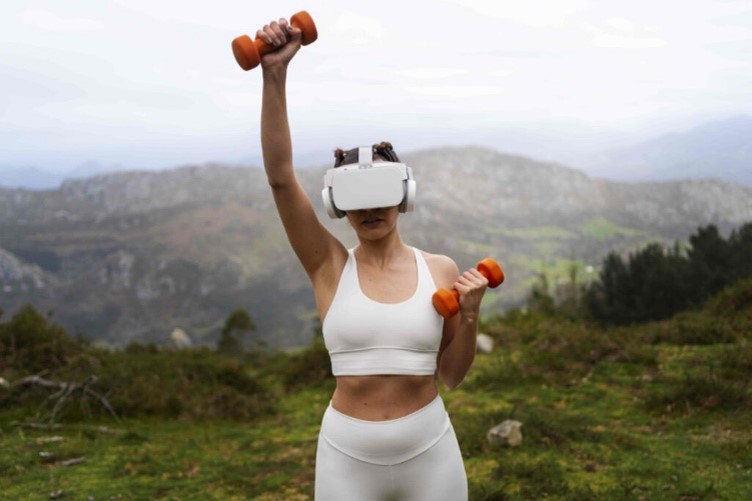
[{"x": 386, "y": 434}]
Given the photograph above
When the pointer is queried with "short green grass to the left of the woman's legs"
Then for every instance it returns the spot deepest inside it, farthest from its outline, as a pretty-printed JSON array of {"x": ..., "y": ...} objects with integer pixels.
[{"x": 160, "y": 459}]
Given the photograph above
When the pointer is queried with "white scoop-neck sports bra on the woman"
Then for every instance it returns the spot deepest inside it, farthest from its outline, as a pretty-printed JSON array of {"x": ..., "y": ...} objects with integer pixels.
[{"x": 366, "y": 337}]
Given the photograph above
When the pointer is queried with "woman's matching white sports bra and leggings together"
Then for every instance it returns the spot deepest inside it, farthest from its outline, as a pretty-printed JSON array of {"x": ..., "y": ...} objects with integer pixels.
[{"x": 415, "y": 457}]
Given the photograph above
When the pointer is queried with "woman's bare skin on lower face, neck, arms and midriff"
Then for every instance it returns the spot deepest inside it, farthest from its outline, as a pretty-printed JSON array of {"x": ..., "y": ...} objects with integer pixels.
[{"x": 386, "y": 266}]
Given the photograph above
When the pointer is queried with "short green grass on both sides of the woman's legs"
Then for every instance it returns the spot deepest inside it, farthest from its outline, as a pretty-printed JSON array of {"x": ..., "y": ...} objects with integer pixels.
[{"x": 593, "y": 439}]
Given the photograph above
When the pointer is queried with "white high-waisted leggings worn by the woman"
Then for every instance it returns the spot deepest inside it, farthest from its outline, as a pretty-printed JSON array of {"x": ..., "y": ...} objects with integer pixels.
[{"x": 413, "y": 458}]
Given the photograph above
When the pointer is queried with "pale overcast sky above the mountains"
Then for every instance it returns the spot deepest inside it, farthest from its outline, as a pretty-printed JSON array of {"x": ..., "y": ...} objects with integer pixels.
[{"x": 152, "y": 84}]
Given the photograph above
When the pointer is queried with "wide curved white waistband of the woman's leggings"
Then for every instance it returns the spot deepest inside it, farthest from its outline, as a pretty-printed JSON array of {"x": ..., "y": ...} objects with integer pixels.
[{"x": 386, "y": 442}]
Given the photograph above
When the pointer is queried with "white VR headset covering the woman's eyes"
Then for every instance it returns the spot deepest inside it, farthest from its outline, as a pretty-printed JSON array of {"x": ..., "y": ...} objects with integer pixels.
[{"x": 368, "y": 185}]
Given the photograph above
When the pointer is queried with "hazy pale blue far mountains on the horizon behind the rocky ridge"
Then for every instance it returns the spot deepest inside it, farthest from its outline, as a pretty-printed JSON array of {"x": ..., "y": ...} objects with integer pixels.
[{"x": 718, "y": 150}]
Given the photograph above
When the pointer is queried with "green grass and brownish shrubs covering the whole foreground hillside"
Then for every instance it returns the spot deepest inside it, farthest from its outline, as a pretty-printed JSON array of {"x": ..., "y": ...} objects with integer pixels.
[{"x": 650, "y": 410}]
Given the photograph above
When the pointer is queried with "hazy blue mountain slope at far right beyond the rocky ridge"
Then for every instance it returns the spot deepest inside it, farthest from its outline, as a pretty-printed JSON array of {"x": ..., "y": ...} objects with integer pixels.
[{"x": 719, "y": 150}]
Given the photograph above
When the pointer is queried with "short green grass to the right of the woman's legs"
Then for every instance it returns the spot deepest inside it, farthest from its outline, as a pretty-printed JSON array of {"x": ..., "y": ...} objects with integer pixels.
[{"x": 596, "y": 440}]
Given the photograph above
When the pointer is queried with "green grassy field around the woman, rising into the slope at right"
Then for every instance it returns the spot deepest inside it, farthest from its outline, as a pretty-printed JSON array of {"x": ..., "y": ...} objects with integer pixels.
[{"x": 660, "y": 411}]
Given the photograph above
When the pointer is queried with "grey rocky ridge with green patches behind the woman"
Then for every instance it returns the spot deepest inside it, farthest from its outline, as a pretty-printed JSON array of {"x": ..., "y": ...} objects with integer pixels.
[{"x": 133, "y": 255}]
